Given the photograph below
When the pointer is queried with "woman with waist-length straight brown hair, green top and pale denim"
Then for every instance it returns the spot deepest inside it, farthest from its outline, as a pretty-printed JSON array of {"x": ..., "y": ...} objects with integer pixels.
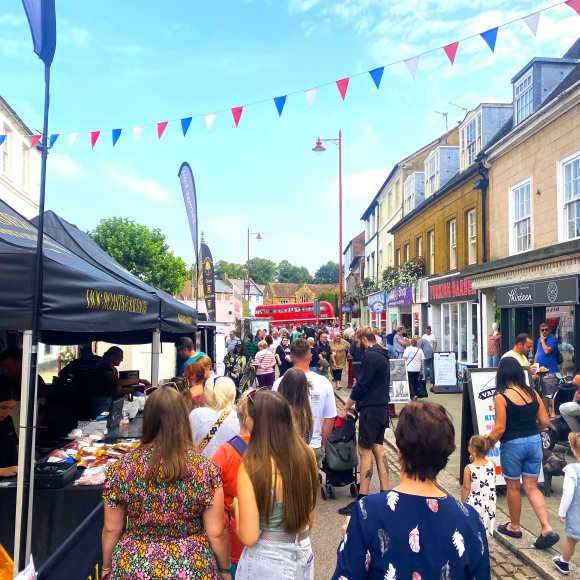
[{"x": 277, "y": 488}]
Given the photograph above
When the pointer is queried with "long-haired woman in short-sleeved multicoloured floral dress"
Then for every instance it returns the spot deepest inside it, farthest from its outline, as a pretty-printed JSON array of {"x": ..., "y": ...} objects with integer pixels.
[{"x": 173, "y": 500}]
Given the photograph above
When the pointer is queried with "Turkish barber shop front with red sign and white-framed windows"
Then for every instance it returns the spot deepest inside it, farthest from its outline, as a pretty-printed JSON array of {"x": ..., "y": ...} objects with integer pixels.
[{"x": 454, "y": 318}]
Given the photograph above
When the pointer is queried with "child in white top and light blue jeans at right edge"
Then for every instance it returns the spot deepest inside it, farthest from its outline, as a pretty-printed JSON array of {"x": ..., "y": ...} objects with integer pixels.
[{"x": 569, "y": 511}]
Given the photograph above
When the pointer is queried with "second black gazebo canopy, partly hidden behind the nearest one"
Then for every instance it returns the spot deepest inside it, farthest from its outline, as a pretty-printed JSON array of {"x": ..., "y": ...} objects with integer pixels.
[{"x": 175, "y": 318}]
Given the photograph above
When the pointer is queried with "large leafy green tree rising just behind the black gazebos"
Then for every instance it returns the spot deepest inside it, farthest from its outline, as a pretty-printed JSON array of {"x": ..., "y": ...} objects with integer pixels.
[{"x": 143, "y": 252}]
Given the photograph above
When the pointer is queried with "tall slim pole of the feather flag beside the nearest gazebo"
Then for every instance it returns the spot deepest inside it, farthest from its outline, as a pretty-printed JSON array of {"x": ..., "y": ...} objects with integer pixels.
[{"x": 27, "y": 438}]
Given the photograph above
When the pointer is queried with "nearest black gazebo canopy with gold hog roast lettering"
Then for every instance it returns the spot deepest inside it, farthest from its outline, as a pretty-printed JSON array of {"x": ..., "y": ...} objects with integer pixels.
[{"x": 80, "y": 302}]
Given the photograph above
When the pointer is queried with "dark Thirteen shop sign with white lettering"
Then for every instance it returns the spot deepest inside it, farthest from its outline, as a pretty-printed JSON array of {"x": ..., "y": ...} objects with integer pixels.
[{"x": 543, "y": 293}]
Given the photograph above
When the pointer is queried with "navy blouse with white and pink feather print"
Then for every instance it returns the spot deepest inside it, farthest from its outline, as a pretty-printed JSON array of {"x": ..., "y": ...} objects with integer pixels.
[{"x": 398, "y": 536}]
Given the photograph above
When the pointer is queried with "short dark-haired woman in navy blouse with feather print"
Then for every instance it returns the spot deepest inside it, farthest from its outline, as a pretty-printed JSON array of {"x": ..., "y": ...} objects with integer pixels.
[{"x": 415, "y": 531}]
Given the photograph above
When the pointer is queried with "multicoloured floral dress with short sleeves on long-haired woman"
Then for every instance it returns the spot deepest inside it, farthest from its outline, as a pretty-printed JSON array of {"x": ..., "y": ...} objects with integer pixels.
[{"x": 164, "y": 537}]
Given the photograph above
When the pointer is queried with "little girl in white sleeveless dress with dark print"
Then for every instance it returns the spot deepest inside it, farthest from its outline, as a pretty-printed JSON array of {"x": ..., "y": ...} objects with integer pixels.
[{"x": 479, "y": 482}]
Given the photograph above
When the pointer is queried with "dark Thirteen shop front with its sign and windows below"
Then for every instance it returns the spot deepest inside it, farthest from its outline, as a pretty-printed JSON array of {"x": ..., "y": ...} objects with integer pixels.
[{"x": 524, "y": 307}]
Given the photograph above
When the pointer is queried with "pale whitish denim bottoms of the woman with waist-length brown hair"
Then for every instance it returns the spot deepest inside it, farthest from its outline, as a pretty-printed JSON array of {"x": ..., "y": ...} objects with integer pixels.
[{"x": 267, "y": 560}]
